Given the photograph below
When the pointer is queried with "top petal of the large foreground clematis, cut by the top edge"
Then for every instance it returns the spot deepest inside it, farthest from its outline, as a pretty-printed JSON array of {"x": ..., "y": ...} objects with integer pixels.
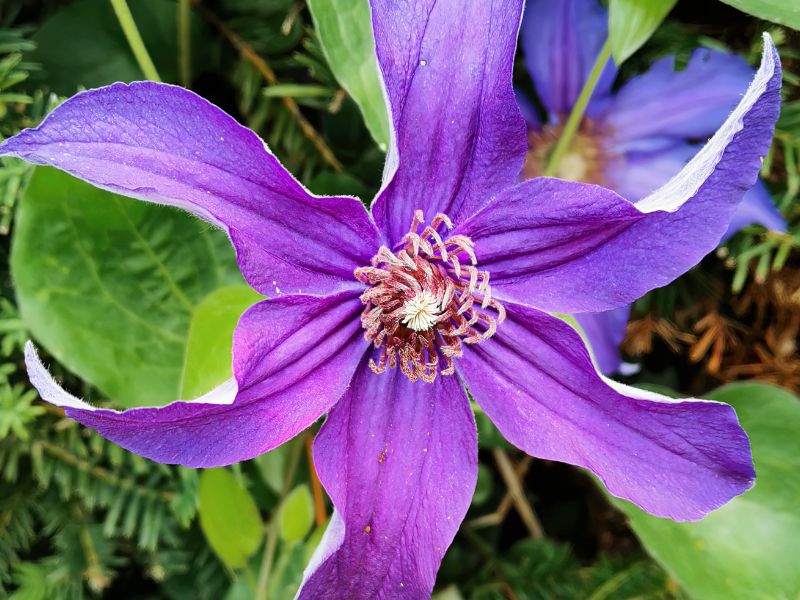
[{"x": 458, "y": 136}]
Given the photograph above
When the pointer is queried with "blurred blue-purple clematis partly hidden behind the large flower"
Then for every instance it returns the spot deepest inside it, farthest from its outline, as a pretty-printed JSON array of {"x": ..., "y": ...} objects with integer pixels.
[{"x": 632, "y": 140}]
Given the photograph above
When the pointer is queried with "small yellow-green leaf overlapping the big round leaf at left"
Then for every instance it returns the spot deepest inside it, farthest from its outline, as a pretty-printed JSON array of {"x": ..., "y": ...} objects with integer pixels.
[{"x": 208, "y": 347}]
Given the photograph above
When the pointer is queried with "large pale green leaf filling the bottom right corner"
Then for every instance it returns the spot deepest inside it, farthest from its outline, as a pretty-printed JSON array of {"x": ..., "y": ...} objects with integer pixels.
[{"x": 749, "y": 548}]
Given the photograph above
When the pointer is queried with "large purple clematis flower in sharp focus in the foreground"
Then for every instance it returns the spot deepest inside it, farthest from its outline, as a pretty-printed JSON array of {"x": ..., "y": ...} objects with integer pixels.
[{"x": 381, "y": 319}]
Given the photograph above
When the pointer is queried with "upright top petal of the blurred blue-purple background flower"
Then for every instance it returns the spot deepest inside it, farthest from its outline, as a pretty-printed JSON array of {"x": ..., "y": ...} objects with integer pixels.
[{"x": 561, "y": 40}]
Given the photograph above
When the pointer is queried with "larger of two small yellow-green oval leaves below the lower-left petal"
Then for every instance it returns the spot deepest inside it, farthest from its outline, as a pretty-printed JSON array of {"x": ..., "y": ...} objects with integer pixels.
[{"x": 228, "y": 517}]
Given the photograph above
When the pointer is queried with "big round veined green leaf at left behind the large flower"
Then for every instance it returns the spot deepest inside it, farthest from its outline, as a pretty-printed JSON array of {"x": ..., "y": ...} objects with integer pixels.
[{"x": 108, "y": 285}]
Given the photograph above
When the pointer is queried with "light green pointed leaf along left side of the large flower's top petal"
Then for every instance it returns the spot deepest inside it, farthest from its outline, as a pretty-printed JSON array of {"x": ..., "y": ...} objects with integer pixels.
[{"x": 345, "y": 32}]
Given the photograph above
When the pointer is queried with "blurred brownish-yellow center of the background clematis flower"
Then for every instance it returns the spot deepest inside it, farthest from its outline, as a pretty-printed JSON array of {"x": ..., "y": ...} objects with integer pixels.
[{"x": 586, "y": 160}]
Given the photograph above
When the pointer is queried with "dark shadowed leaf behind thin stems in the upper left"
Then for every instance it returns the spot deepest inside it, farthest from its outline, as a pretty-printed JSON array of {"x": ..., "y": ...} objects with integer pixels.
[{"x": 82, "y": 44}]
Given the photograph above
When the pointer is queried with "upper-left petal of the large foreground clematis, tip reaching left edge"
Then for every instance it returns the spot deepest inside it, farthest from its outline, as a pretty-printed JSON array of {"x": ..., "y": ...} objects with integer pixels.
[{"x": 165, "y": 144}]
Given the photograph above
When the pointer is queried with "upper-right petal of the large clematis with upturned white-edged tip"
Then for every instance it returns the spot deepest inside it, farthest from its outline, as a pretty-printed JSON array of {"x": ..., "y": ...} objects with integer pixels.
[{"x": 572, "y": 247}]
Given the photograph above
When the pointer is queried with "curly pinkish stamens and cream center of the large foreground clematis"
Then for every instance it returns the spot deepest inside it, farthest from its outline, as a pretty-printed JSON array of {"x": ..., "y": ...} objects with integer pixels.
[{"x": 425, "y": 300}]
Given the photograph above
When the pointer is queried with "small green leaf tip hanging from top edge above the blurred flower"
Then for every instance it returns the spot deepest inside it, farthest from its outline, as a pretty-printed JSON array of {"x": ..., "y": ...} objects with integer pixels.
[{"x": 632, "y": 22}]
